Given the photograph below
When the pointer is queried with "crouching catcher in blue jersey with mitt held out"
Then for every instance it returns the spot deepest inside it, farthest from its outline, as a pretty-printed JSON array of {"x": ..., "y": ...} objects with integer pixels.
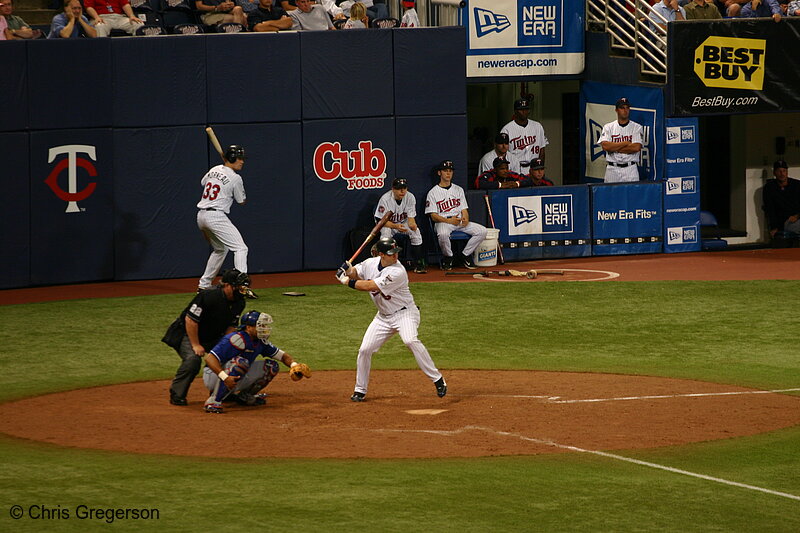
[{"x": 232, "y": 372}]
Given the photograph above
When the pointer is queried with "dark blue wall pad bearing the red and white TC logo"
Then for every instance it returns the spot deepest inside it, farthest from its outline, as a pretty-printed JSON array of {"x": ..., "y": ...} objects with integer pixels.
[{"x": 71, "y": 224}]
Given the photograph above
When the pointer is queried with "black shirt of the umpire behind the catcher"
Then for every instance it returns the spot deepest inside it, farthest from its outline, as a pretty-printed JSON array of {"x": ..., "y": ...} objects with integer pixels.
[{"x": 214, "y": 314}]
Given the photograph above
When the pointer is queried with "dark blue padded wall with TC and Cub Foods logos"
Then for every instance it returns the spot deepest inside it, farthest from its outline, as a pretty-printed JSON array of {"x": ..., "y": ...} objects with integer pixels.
[{"x": 103, "y": 144}]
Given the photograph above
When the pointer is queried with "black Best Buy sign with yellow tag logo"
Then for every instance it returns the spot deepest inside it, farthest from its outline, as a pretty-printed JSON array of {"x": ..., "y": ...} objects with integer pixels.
[{"x": 751, "y": 66}]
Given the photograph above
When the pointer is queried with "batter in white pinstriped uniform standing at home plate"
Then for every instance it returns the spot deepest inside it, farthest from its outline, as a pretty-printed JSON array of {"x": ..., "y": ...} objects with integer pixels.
[{"x": 387, "y": 282}]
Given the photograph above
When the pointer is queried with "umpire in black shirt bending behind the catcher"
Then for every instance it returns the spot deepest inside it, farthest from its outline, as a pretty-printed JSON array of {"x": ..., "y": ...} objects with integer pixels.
[{"x": 211, "y": 314}]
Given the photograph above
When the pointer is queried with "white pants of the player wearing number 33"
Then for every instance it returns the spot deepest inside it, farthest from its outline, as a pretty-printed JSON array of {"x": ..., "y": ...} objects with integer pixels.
[{"x": 223, "y": 236}]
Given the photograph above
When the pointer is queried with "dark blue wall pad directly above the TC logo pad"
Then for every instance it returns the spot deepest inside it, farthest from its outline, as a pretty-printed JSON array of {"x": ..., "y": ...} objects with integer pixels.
[{"x": 69, "y": 83}]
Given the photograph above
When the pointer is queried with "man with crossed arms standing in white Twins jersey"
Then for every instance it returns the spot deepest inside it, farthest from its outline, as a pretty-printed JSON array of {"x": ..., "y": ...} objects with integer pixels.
[{"x": 622, "y": 142}]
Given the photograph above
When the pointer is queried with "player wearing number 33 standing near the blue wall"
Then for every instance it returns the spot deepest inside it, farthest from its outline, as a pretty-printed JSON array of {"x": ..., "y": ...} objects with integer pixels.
[{"x": 221, "y": 186}]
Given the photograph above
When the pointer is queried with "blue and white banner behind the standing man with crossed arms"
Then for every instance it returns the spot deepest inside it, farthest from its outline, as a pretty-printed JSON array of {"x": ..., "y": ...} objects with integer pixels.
[{"x": 647, "y": 108}]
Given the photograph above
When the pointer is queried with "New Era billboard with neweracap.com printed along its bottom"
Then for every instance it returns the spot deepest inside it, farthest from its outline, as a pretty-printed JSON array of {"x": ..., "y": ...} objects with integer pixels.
[{"x": 523, "y": 37}]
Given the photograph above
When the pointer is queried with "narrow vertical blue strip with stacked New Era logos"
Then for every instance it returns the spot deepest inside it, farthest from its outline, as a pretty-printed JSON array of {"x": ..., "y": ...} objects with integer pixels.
[{"x": 681, "y": 187}]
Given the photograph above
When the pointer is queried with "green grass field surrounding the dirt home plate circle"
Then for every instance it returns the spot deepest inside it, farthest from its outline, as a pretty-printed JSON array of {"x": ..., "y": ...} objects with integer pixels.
[{"x": 724, "y": 332}]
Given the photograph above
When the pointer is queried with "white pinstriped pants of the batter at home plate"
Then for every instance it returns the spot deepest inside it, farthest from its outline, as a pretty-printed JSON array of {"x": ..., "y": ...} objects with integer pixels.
[{"x": 405, "y": 322}]
